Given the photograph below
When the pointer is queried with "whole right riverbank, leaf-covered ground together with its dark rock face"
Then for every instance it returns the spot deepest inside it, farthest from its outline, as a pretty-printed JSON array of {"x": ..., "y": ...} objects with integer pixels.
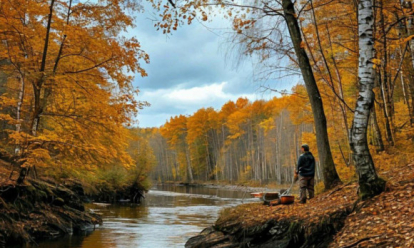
[{"x": 336, "y": 218}]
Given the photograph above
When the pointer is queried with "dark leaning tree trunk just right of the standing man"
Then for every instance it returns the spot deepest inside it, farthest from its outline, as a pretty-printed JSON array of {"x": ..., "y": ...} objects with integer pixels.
[{"x": 325, "y": 156}]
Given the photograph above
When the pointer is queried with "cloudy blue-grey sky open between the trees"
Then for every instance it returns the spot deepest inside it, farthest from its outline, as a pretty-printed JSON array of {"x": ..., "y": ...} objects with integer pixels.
[{"x": 189, "y": 70}]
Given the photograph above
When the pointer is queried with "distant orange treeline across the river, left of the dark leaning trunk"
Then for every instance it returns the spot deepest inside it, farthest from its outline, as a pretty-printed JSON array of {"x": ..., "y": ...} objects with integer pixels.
[{"x": 243, "y": 141}]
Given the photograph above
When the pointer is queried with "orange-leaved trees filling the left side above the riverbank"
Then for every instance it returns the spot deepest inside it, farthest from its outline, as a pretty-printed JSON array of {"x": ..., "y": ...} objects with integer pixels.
[{"x": 67, "y": 97}]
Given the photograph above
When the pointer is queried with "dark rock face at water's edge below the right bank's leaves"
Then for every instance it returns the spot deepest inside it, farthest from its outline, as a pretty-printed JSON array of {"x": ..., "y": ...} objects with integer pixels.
[{"x": 271, "y": 234}]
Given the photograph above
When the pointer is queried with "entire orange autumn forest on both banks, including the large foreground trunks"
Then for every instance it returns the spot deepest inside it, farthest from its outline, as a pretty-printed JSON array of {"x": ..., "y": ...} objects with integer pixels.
[{"x": 69, "y": 108}]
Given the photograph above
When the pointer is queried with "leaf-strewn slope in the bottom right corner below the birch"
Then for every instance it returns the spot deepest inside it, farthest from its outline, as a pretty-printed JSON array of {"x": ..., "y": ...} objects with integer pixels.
[{"x": 386, "y": 220}]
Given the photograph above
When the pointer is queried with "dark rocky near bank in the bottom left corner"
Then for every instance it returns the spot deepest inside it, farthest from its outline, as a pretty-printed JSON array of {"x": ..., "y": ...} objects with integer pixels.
[{"x": 38, "y": 210}]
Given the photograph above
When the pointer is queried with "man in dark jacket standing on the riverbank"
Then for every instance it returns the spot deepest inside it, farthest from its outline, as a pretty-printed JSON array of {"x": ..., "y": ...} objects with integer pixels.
[{"x": 306, "y": 171}]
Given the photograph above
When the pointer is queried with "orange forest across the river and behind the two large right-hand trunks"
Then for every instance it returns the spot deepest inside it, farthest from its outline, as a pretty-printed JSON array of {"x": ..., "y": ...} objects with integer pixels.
[{"x": 258, "y": 141}]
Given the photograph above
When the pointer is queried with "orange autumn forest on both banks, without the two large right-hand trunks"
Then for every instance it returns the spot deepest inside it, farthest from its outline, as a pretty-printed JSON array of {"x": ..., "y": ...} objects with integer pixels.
[{"x": 68, "y": 102}]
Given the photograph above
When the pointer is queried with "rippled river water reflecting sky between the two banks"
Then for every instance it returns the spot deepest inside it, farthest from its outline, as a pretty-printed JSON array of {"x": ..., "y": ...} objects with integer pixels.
[{"x": 168, "y": 217}]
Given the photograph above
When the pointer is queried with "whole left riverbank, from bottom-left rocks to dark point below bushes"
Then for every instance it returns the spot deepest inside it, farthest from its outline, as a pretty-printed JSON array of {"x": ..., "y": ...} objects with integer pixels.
[{"x": 46, "y": 208}]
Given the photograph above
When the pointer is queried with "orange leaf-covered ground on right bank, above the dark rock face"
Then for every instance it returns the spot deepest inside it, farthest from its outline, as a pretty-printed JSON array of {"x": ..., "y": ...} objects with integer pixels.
[{"x": 386, "y": 220}]
